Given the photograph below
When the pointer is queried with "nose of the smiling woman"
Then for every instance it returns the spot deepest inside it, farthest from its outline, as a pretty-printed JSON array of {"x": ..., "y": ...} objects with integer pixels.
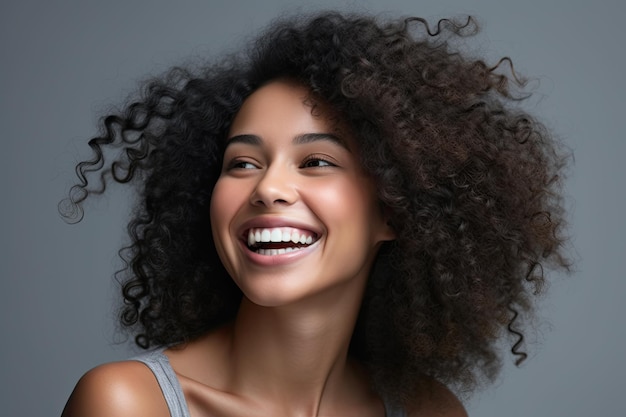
[{"x": 275, "y": 187}]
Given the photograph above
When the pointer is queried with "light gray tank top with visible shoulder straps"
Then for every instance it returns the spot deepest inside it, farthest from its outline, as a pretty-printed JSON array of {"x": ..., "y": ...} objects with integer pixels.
[{"x": 173, "y": 393}]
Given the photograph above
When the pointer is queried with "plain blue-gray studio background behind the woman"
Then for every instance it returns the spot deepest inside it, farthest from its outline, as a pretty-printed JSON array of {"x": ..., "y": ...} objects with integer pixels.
[{"x": 63, "y": 63}]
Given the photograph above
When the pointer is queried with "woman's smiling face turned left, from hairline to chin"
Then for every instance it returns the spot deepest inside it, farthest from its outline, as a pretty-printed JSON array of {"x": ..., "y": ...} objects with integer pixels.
[{"x": 293, "y": 214}]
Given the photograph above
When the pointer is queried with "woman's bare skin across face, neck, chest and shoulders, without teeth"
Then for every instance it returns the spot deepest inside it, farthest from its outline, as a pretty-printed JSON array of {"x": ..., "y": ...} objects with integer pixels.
[{"x": 286, "y": 353}]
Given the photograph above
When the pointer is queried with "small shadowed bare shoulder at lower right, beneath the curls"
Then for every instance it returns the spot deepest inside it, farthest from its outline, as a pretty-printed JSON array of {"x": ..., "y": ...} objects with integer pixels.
[{"x": 437, "y": 401}]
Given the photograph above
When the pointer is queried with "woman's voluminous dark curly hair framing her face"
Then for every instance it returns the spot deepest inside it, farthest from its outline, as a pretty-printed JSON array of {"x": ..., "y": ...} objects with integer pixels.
[{"x": 471, "y": 181}]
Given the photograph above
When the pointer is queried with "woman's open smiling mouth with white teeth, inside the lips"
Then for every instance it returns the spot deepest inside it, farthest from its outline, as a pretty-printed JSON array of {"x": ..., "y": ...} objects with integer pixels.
[{"x": 279, "y": 240}]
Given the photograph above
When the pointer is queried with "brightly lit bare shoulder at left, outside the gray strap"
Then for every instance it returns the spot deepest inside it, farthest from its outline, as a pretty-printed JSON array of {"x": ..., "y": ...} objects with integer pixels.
[{"x": 117, "y": 389}]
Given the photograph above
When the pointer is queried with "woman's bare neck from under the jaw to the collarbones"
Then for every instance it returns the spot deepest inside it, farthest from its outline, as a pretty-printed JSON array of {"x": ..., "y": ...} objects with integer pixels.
[{"x": 296, "y": 355}]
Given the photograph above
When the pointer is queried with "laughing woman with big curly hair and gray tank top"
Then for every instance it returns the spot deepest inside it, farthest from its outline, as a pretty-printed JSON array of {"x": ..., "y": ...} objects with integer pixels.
[{"x": 340, "y": 221}]
